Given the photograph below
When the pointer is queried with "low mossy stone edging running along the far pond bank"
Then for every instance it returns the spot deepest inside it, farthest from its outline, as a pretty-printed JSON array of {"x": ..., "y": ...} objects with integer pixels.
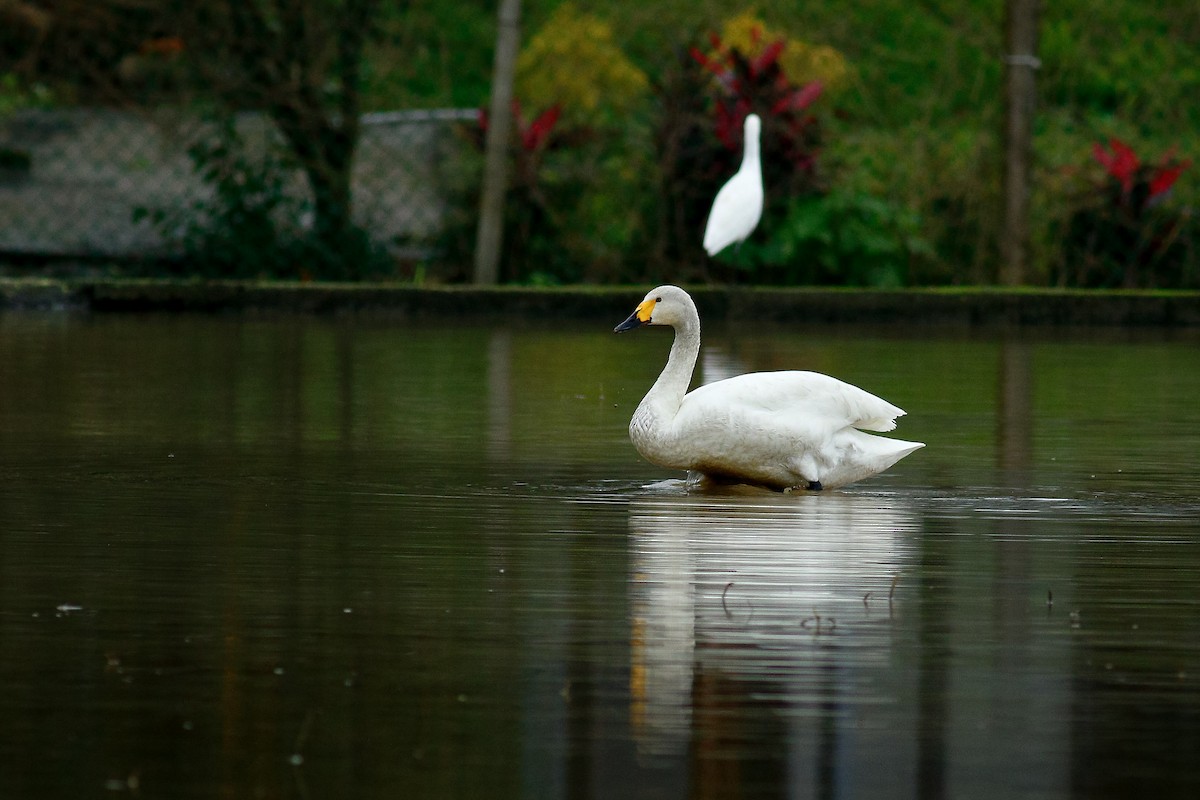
[{"x": 943, "y": 306}]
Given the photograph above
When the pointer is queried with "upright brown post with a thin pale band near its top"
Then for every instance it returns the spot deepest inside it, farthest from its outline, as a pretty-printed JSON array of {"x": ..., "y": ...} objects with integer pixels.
[{"x": 1021, "y": 94}]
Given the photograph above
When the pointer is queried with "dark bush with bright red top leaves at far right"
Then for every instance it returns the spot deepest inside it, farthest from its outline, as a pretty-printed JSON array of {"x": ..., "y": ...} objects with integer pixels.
[{"x": 1123, "y": 233}]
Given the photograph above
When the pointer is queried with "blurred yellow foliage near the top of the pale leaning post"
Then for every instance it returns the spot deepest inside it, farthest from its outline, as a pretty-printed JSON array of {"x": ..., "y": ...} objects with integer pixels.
[{"x": 573, "y": 61}]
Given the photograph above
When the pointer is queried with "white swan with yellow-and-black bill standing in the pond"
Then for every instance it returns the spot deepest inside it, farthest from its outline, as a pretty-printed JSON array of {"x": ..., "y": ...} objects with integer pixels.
[{"x": 779, "y": 430}]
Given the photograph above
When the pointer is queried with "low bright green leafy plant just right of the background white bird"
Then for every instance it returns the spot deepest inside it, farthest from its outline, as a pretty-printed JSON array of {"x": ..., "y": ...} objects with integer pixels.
[{"x": 842, "y": 239}]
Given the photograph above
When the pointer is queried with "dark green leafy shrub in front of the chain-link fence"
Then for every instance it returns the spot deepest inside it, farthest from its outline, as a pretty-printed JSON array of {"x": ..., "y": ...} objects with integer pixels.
[{"x": 251, "y": 224}]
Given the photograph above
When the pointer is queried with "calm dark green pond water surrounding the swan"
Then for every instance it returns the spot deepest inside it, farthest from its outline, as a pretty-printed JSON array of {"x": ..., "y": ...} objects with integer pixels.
[{"x": 315, "y": 558}]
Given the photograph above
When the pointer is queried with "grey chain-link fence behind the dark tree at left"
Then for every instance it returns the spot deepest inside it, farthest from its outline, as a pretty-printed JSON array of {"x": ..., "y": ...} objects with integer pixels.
[{"x": 76, "y": 179}]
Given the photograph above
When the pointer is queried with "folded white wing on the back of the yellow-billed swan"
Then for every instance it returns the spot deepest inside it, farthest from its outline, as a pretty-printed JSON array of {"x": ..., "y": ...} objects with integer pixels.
[{"x": 811, "y": 395}]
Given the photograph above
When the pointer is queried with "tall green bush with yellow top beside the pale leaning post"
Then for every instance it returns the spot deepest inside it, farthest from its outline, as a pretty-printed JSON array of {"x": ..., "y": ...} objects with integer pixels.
[{"x": 587, "y": 197}]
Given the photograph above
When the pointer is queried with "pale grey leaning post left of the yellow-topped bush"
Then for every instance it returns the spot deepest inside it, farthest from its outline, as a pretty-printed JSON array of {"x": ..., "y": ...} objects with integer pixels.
[{"x": 496, "y": 171}]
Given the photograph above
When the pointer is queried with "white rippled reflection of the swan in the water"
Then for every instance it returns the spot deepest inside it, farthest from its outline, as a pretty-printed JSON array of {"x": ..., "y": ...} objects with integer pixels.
[{"x": 751, "y": 596}]
